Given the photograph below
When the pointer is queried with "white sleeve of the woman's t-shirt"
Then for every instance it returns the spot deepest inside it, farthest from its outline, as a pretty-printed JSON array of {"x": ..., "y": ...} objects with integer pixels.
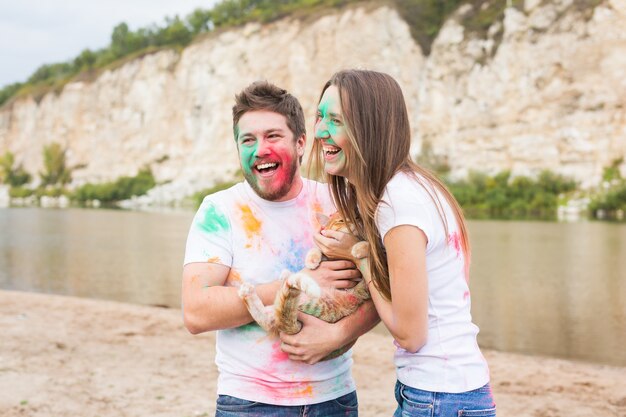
[{"x": 404, "y": 204}]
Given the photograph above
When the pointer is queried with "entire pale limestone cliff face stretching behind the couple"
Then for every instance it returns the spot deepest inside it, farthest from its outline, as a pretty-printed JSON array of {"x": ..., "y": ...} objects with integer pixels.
[{"x": 549, "y": 93}]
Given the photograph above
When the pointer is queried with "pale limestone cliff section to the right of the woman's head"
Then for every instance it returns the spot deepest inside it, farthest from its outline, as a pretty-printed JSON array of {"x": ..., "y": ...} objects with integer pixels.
[{"x": 551, "y": 96}]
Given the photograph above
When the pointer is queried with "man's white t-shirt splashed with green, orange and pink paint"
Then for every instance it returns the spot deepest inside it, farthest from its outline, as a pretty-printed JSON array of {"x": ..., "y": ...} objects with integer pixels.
[{"x": 258, "y": 239}]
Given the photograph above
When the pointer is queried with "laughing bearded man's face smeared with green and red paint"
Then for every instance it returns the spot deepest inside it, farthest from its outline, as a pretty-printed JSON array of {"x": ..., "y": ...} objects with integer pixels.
[{"x": 269, "y": 154}]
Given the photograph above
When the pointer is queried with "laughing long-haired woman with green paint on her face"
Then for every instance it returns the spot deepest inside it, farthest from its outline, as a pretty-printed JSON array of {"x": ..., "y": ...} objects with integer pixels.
[{"x": 419, "y": 260}]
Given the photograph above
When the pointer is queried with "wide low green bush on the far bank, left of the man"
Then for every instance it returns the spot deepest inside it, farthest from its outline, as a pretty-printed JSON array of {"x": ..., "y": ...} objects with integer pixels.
[{"x": 121, "y": 189}]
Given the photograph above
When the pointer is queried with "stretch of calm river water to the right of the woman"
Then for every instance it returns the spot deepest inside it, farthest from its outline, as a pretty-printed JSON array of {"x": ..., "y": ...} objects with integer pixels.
[{"x": 551, "y": 288}]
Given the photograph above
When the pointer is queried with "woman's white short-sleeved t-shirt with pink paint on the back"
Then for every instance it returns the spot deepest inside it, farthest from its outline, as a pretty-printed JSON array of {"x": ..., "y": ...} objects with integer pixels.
[{"x": 450, "y": 361}]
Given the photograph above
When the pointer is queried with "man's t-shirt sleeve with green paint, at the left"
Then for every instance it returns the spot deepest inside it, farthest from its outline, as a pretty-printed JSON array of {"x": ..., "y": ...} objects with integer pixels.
[{"x": 209, "y": 238}]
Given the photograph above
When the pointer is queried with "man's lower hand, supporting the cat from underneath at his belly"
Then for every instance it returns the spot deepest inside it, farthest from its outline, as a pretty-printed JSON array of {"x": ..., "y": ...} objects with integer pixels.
[{"x": 314, "y": 342}]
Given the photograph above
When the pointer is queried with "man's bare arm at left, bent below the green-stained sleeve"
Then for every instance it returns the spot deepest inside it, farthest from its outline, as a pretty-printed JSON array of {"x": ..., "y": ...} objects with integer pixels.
[{"x": 210, "y": 305}]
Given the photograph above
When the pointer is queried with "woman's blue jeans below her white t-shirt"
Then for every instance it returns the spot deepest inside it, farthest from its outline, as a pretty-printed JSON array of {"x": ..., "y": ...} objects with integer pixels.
[{"x": 414, "y": 402}]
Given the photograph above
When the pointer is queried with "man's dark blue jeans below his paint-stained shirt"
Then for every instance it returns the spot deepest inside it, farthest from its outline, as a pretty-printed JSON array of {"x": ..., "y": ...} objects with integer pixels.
[{"x": 345, "y": 406}]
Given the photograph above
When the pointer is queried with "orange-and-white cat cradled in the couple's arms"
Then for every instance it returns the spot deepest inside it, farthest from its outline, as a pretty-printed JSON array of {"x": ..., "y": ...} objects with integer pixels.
[{"x": 329, "y": 305}]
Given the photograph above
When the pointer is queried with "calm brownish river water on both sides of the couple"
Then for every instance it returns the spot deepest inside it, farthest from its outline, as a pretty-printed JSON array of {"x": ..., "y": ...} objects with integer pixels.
[{"x": 543, "y": 288}]
